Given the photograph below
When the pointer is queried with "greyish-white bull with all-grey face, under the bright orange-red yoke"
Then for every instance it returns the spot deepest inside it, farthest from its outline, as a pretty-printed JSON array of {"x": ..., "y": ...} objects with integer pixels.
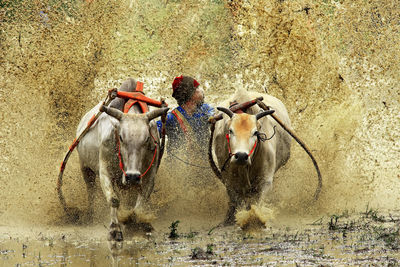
[{"x": 122, "y": 149}]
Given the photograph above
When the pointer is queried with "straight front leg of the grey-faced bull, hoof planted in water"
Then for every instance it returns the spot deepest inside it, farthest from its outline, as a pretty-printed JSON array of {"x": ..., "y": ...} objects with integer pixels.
[{"x": 115, "y": 234}]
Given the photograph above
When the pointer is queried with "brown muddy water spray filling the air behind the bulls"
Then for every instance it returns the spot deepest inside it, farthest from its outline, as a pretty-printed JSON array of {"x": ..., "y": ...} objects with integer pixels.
[{"x": 333, "y": 63}]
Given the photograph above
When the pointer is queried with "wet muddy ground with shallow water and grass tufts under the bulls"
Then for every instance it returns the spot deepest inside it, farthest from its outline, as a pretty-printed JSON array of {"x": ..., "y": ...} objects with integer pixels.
[{"x": 359, "y": 239}]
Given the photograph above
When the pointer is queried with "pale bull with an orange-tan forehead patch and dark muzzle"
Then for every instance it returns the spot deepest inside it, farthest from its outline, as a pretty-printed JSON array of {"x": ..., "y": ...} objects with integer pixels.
[{"x": 246, "y": 159}]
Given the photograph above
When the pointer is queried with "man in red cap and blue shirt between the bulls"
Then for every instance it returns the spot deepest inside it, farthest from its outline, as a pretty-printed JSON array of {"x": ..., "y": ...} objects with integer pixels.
[{"x": 187, "y": 125}]
